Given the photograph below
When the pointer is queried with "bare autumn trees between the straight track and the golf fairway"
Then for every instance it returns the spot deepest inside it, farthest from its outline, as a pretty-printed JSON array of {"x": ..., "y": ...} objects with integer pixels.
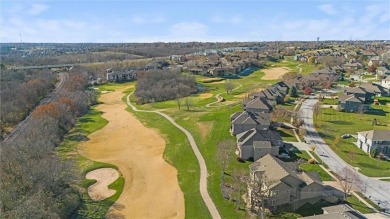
[{"x": 35, "y": 181}]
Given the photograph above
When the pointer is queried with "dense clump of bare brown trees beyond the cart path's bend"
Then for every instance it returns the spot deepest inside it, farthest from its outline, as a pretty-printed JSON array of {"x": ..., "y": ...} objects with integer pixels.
[{"x": 155, "y": 86}]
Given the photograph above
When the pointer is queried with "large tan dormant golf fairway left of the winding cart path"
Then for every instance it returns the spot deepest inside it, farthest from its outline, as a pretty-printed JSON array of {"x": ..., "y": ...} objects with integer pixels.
[{"x": 151, "y": 187}]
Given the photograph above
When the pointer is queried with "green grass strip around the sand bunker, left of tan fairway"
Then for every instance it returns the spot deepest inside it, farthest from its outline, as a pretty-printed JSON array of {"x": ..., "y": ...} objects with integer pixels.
[{"x": 85, "y": 125}]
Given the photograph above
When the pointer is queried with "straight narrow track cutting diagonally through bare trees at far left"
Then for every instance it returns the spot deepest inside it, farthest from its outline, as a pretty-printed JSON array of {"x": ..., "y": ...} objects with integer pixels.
[{"x": 23, "y": 124}]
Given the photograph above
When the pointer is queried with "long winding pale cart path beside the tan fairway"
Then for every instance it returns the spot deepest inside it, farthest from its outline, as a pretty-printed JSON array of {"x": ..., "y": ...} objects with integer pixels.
[{"x": 203, "y": 168}]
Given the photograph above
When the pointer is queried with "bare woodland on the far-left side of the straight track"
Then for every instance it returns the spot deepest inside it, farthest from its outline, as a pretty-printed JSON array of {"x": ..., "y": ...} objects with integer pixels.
[{"x": 20, "y": 91}]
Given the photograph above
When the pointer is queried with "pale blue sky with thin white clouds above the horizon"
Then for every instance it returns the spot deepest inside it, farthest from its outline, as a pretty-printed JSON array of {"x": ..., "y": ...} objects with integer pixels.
[{"x": 183, "y": 21}]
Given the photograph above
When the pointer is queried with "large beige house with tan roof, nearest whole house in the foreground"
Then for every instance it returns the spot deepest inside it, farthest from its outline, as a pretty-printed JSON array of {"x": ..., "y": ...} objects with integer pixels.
[{"x": 284, "y": 183}]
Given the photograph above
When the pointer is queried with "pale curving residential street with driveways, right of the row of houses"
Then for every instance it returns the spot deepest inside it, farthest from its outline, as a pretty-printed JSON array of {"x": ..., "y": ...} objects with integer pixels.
[{"x": 378, "y": 191}]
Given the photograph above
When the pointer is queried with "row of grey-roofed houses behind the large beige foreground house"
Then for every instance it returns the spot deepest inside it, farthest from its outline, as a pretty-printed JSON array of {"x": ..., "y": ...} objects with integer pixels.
[{"x": 251, "y": 127}]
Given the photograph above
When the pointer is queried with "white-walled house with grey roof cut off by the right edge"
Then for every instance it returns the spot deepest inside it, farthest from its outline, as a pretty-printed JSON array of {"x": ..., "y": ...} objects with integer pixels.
[{"x": 374, "y": 139}]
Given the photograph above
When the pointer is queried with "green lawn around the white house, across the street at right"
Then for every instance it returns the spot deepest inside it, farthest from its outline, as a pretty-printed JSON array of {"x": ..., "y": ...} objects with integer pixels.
[{"x": 332, "y": 123}]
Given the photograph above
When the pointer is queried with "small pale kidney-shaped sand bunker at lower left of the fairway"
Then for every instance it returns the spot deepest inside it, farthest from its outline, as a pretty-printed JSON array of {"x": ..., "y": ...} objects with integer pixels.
[{"x": 104, "y": 177}]
